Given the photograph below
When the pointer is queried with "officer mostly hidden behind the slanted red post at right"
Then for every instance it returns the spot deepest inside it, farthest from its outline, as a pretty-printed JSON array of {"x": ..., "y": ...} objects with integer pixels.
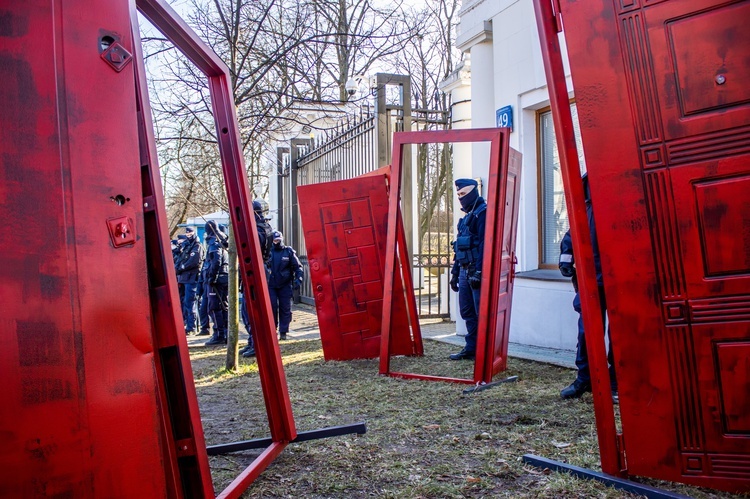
[{"x": 582, "y": 383}]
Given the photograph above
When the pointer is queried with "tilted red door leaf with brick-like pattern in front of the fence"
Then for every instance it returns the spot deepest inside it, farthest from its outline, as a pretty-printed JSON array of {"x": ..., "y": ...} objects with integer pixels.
[{"x": 345, "y": 229}]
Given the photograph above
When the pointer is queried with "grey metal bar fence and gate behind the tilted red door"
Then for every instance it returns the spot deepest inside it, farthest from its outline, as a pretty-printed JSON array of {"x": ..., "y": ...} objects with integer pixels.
[{"x": 361, "y": 146}]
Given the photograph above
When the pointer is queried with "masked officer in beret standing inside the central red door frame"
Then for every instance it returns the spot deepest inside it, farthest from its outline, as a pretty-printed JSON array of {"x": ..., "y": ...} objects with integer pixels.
[{"x": 466, "y": 274}]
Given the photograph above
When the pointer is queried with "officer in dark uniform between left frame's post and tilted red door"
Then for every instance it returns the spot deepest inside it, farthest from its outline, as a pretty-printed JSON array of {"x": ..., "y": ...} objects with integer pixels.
[{"x": 284, "y": 276}]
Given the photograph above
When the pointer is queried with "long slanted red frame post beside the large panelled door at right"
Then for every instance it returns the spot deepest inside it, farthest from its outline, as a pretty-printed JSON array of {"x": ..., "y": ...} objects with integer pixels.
[{"x": 549, "y": 25}]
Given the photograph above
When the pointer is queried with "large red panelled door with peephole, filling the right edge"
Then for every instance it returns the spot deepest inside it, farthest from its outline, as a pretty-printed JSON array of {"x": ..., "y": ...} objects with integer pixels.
[{"x": 664, "y": 106}]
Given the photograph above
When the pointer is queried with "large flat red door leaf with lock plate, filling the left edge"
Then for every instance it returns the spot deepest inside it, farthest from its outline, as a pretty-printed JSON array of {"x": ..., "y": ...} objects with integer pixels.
[{"x": 80, "y": 415}]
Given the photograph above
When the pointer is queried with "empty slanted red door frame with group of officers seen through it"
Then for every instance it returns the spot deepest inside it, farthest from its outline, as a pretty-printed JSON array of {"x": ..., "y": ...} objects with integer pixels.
[{"x": 272, "y": 378}]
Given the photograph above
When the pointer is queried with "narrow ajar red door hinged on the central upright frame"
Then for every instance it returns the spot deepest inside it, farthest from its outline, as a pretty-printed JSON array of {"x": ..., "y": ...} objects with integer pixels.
[{"x": 503, "y": 204}]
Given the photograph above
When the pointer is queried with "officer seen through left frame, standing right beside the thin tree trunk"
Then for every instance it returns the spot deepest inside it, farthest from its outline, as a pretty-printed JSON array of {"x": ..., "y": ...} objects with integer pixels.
[{"x": 217, "y": 276}]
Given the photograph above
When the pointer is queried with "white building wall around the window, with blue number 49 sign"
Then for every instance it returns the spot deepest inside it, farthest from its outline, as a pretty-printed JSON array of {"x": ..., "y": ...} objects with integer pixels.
[{"x": 542, "y": 313}]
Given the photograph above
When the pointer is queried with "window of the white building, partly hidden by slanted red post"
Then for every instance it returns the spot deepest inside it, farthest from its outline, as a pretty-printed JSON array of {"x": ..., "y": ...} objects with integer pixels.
[{"x": 554, "y": 213}]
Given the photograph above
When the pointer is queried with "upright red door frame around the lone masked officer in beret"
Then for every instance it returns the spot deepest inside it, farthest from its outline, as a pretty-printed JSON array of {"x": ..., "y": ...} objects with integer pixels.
[{"x": 499, "y": 149}]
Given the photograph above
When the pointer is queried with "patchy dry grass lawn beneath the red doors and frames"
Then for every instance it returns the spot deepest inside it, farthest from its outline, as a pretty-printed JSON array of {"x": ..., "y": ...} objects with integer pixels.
[{"x": 424, "y": 439}]
